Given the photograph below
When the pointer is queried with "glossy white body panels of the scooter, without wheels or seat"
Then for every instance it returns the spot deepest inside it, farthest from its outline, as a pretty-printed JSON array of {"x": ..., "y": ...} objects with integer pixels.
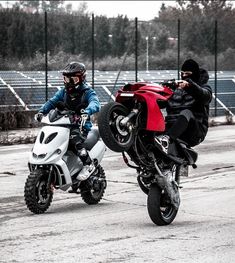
[{"x": 54, "y": 152}]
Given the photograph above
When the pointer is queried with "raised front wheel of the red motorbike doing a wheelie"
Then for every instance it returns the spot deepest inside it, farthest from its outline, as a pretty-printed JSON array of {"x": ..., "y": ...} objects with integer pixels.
[{"x": 117, "y": 137}]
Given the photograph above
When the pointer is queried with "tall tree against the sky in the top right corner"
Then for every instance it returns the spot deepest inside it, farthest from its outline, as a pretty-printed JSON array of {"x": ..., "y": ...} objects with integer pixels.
[{"x": 198, "y": 24}]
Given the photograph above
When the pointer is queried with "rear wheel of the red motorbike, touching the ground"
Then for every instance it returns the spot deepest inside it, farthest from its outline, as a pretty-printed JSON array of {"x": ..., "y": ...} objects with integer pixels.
[{"x": 160, "y": 210}]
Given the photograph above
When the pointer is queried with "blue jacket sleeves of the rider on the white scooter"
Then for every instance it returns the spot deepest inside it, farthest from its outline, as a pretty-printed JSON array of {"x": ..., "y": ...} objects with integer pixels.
[{"x": 89, "y": 98}]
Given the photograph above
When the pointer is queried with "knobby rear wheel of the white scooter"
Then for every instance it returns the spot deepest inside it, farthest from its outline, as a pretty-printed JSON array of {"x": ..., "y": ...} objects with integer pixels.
[{"x": 92, "y": 190}]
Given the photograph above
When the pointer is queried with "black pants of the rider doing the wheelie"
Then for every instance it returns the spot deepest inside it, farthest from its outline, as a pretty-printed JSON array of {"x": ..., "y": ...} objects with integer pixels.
[{"x": 186, "y": 127}]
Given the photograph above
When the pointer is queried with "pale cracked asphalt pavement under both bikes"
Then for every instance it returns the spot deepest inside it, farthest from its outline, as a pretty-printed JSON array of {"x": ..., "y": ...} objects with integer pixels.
[{"x": 119, "y": 228}]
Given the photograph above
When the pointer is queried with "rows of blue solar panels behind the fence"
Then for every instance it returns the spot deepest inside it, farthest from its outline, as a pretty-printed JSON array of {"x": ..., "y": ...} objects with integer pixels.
[{"x": 26, "y": 89}]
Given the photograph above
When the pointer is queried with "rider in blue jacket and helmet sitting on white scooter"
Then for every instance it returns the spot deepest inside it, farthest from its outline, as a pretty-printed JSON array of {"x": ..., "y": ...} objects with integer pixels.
[{"x": 77, "y": 96}]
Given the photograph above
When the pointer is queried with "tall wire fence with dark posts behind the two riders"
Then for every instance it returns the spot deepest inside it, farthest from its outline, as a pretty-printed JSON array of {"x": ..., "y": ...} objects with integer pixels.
[{"x": 115, "y": 51}]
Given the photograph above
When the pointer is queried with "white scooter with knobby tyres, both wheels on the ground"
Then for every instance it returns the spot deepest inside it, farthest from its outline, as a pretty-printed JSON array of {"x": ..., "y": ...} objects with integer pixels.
[{"x": 54, "y": 165}]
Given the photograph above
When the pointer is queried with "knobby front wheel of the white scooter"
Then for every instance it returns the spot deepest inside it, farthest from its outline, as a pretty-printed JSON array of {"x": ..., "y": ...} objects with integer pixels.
[{"x": 38, "y": 195}]
